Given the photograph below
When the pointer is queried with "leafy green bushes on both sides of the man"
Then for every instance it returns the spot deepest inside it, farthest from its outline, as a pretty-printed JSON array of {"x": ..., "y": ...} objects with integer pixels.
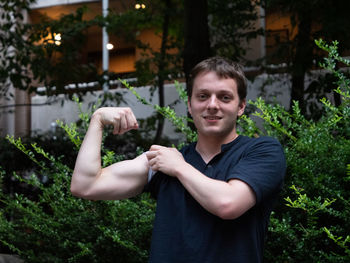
[{"x": 309, "y": 224}]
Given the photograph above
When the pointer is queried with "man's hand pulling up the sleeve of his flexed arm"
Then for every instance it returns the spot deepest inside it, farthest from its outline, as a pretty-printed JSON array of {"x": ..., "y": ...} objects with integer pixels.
[{"x": 165, "y": 159}]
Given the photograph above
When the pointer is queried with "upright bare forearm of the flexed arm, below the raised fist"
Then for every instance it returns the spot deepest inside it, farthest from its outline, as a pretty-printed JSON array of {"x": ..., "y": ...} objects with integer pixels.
[{"x": 88, "y": 163}]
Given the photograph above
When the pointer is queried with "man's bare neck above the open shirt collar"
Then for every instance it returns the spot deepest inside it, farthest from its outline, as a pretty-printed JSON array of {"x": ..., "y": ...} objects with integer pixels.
[{"x": 209, "y": 147}]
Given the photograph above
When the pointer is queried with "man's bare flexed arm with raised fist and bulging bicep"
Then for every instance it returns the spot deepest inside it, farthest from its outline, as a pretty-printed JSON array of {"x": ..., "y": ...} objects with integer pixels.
[{"x": 117, "y": 181}]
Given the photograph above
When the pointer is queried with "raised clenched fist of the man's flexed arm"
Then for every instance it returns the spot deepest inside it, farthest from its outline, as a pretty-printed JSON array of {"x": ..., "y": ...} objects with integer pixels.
[{"x": 122, "y": 119}]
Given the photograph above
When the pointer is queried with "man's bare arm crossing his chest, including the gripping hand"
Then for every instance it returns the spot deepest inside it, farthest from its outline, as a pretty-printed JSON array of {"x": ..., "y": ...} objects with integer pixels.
[{"x": 227, "y": 200}]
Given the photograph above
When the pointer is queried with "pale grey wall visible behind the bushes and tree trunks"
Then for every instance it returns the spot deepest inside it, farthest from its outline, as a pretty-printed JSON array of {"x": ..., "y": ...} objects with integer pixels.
[{"x": 43, "y": 116}]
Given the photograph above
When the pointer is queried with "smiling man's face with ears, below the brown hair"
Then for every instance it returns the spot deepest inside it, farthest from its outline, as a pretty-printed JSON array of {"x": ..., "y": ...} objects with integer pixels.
[{"x": 215, "y": 106}]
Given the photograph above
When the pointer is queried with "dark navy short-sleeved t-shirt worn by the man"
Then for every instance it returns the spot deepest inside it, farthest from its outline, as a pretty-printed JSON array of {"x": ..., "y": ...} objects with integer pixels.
[{"x": 185, "y": 232}]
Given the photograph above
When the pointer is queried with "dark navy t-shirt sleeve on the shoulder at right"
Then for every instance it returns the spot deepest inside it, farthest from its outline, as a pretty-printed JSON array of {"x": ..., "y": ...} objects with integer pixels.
[{"x": 262, "y": 166}]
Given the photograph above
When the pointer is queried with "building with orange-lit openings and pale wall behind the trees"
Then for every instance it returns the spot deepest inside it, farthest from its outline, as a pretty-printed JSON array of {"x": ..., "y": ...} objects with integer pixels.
[{"x": 26, "y": 113}]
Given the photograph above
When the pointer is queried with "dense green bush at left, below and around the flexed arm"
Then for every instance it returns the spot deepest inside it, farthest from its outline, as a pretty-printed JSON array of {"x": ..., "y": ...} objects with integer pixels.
[{"x": 47, "y": 224}]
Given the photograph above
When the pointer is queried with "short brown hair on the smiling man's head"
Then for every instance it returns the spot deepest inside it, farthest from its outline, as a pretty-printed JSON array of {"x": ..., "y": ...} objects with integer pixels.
[{"x": 224, "y": 68}]
